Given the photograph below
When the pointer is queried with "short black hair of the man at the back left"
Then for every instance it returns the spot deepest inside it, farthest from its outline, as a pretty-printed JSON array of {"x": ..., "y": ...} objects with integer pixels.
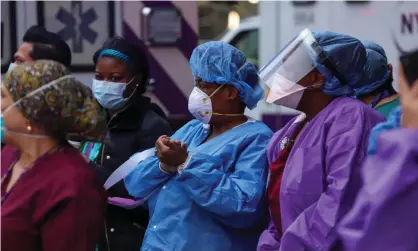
[{"x": 47, "y": 45}]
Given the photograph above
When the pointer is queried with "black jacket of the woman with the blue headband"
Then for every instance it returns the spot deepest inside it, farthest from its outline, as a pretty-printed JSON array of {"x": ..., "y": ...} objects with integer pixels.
[{"x": 132, "y": 130}]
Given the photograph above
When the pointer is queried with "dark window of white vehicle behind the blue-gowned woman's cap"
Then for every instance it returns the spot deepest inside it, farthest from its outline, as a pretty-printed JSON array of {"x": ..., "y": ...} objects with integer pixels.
[{"x": 247, "y": 42}]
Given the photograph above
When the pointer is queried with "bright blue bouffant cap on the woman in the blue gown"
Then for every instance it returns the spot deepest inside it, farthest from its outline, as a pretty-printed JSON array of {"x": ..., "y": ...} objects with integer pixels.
[{"x": 221, "y": 63}]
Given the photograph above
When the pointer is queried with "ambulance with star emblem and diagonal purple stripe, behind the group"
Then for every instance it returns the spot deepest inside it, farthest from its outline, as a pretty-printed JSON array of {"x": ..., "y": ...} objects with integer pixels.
[{"x": 166, "y": 30}]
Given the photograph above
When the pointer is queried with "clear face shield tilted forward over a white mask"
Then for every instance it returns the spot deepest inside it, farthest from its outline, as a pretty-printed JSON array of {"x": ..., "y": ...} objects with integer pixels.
[{"x": 286, "y": 75}]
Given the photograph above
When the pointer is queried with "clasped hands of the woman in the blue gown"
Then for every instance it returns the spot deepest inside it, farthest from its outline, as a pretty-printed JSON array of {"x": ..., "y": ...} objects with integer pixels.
[{"x": 171, "y": 153}]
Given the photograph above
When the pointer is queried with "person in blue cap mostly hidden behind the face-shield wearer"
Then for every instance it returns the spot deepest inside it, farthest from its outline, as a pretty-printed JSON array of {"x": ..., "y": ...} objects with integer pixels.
[{"x": 377, "y": 90}]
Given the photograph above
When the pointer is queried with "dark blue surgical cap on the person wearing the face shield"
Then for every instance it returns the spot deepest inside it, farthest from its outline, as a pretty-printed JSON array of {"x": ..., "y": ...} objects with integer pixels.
[{"x": 348, "y": 56}]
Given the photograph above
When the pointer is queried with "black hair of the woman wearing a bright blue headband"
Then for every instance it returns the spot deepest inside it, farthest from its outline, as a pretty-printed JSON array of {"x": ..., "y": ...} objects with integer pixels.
[{"x": 138, "y": 62}]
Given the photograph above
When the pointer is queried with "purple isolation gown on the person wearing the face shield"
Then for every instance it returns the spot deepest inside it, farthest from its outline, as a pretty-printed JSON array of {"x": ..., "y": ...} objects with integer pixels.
[{"x": 322, "y": 175}]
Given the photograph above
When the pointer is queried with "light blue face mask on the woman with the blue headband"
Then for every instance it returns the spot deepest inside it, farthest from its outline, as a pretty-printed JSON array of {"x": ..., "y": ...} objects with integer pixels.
[{"x": 110, "y": 94}]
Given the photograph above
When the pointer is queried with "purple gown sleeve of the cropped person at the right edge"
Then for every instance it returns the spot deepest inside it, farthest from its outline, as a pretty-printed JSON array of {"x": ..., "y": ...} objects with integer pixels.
[{"x": 384, "y": 216}]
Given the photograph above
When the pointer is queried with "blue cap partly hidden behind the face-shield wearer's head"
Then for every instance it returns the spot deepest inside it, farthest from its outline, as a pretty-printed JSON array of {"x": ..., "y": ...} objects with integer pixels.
[{"x": 376, "y": 71}]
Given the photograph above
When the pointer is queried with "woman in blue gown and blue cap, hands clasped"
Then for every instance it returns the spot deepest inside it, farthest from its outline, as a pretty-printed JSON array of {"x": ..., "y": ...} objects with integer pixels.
[{"x": 205, "y": 184}]
